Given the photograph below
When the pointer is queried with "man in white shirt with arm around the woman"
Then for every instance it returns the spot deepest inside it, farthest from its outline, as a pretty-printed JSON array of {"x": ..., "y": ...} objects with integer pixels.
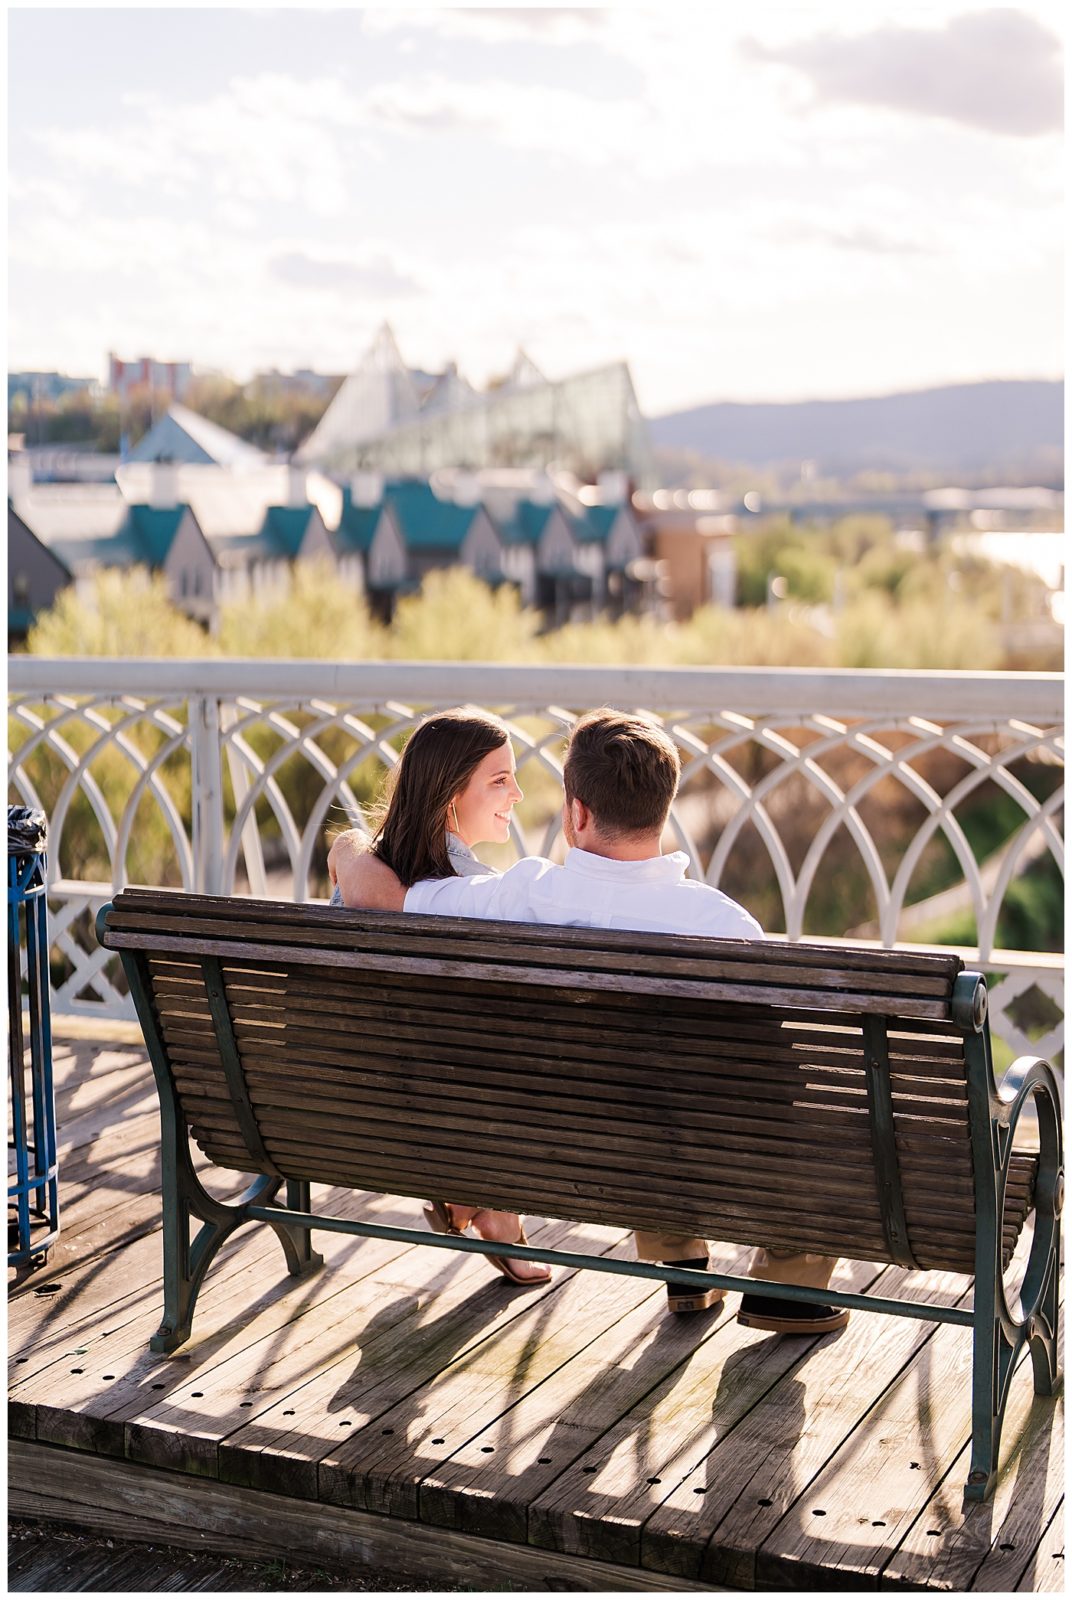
[{"x": 620, "y": 778}]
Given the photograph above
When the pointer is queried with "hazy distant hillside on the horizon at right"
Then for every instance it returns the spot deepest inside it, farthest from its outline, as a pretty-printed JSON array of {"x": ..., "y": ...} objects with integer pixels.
[{"x": 961, "y": 428}]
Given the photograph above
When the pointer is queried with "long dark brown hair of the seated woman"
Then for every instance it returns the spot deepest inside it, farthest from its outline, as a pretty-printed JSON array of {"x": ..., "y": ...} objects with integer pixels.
[{"x": 439, "y": 761}]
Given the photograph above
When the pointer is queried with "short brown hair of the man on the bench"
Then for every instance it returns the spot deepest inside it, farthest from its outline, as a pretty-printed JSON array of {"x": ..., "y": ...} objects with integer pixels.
[{"x": 625, "y": 770}]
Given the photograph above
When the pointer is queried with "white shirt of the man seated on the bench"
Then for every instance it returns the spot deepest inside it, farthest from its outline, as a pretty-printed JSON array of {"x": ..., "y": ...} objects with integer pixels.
[{"x": 591, "y": 892}]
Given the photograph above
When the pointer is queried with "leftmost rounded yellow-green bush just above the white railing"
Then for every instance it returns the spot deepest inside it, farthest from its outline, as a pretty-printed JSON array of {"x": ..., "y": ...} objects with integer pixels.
[{"x": 126, "y": 614}]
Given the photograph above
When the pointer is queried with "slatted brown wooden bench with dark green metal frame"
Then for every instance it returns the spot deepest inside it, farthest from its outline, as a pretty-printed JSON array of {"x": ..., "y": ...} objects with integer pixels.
[{"x": 798, "y": 1097}]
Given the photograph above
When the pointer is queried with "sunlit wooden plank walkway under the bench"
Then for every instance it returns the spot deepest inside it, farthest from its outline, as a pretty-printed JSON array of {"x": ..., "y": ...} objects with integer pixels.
[{"x": 409, "y": 1409}]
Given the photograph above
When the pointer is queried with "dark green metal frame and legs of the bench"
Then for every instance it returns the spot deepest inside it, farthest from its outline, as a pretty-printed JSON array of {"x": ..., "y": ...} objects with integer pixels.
[{"x": 999, "y": 1332}]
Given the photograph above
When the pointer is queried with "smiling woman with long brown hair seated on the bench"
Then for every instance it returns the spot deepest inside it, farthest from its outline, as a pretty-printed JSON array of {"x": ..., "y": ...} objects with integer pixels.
[{"x": 454, "y": 788}]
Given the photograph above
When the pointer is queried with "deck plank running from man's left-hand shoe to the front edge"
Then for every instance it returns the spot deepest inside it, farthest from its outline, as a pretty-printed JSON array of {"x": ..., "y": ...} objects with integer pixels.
[{"x": 566, "y": 1418}]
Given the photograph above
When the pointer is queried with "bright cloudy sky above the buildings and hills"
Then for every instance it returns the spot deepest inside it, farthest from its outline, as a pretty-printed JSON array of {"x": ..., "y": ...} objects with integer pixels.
[{"x": 745, "y": 201}]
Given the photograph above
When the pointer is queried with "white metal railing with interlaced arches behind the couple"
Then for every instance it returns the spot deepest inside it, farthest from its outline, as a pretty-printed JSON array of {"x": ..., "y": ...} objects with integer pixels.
[{"x": 236, "y": 769}]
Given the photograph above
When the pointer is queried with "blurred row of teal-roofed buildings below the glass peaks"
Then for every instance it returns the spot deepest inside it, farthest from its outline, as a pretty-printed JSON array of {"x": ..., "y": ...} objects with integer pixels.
[{"x": 222, "y": 522}]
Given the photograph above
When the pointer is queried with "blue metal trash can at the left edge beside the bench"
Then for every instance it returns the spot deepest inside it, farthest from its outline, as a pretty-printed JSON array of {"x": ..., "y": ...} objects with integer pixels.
[{"x": 34, "y": 1190}]
